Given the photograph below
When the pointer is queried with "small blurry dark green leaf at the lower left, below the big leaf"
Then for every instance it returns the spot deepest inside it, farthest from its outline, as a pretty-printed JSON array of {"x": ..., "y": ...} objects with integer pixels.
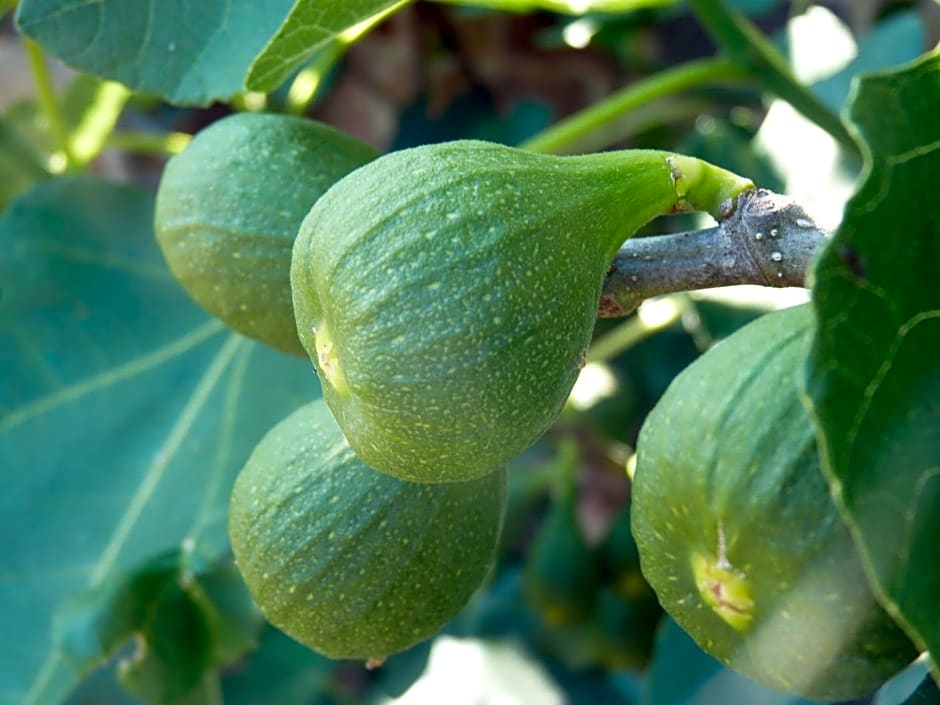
[{"x": 184, "y": 625}]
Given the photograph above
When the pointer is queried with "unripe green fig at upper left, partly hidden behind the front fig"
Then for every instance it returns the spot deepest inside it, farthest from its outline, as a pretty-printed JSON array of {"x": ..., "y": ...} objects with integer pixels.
[{"x": 228, "y": 209}]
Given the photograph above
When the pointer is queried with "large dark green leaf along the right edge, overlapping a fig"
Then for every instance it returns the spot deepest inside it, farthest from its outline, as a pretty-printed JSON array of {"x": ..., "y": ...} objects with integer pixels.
[{"x": 873, "y": 376}]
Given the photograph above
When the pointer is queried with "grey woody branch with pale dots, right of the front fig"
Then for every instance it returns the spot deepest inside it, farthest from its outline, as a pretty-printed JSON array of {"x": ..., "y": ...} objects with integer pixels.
[{"x": 768, "y": 239}]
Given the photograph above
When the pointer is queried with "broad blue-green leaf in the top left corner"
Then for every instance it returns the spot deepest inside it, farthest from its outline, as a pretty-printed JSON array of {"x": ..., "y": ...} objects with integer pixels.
[{"x": 187, "y": 51}]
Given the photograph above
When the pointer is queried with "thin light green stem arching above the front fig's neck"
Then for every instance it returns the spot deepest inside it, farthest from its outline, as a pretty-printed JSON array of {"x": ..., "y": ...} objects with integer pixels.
[{"x": 659, "y": 85}]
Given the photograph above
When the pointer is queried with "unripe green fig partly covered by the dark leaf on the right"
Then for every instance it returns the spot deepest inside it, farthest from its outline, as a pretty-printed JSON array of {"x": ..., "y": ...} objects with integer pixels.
[{"x": 738, "y": 534}]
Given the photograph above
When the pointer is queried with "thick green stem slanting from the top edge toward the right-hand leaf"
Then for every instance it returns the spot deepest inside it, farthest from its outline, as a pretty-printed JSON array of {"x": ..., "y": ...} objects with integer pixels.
[{"x": 746, "y": 45}]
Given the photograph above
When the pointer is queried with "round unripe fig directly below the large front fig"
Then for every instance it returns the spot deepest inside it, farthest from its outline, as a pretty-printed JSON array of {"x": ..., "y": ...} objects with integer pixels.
[{"x": 351, "y": 562}]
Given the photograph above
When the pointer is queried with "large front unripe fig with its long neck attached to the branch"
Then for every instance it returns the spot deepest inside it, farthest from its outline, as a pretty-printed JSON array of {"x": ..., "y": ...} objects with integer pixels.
[{"x": 447, "y": 293}]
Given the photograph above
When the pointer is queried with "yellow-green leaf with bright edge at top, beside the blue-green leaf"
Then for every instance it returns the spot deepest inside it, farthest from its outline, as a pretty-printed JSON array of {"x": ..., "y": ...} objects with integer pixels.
[{"x": 310, "y": 24}]
